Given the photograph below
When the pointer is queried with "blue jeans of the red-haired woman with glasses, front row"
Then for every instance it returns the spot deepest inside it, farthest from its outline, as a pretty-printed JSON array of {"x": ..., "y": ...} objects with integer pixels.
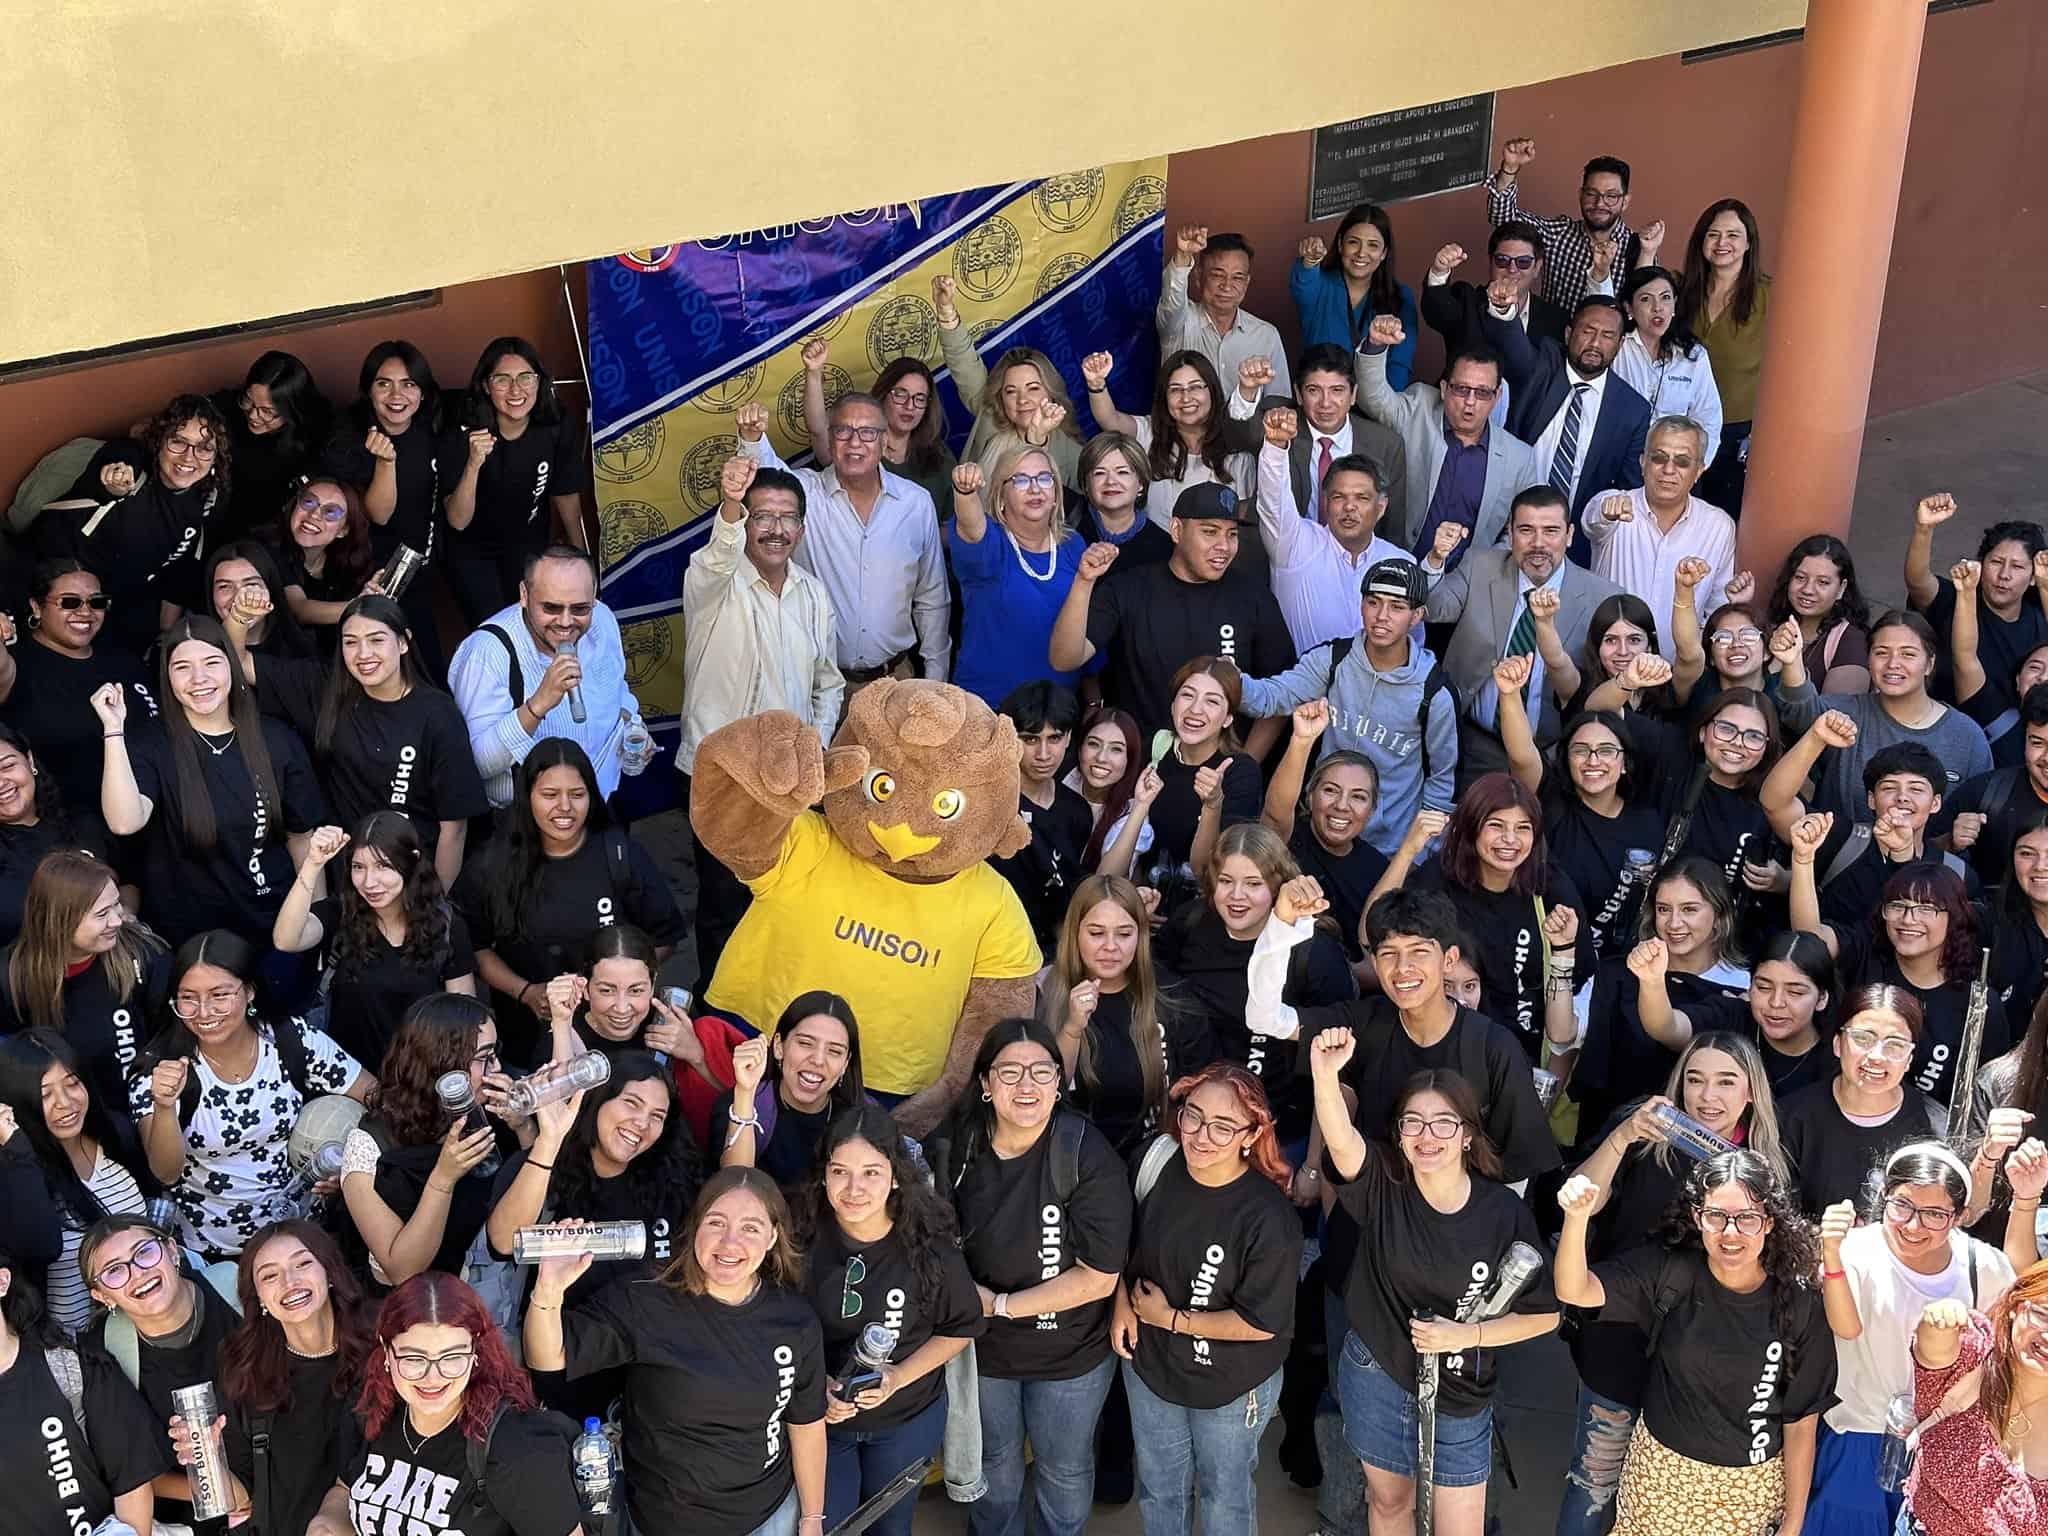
[{"x": 1211, "y": 1451}]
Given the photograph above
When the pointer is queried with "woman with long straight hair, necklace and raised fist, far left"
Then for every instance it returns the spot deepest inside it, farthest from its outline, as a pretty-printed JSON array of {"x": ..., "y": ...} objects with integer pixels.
[{"x": 226, "y": 792}]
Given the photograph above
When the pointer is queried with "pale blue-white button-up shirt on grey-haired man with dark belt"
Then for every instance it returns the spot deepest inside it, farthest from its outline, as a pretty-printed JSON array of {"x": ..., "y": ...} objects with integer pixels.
[{"x": 886, "y": 574}]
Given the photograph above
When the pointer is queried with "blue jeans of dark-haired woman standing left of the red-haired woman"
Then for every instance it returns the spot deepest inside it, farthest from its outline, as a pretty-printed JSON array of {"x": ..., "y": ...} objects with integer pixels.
[{"x": 1060, "y": 1420}]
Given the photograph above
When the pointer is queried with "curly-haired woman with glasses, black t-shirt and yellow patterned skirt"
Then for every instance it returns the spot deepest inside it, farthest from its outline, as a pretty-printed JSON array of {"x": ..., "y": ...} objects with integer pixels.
[{"x": 1740, "y": 1355}]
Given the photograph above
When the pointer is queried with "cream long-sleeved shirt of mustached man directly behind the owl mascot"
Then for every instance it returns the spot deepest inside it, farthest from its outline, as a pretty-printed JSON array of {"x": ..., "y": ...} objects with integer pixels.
[{"x": 751, "y": 648}]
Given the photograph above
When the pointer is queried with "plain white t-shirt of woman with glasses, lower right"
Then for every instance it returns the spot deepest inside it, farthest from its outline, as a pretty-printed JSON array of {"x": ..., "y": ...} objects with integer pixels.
[{"x": 1889, "y": 1297}]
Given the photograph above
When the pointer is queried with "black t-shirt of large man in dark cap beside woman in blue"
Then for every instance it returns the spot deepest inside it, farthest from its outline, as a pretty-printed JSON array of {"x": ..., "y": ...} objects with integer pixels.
[{"x": 1150, "y": 622}]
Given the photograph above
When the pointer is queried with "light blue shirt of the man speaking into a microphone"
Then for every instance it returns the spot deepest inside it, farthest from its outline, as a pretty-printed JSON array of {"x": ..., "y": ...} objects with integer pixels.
[{"x": 480, "y": 677}]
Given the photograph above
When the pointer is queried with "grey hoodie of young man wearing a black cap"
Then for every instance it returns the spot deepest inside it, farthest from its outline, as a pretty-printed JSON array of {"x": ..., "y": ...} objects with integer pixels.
[{"x": 1377, "y": 714}]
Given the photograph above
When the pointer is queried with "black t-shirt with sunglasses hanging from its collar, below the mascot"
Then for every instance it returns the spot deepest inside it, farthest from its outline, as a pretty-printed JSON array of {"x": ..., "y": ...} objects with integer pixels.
[{"x": 888, "y": 1293}]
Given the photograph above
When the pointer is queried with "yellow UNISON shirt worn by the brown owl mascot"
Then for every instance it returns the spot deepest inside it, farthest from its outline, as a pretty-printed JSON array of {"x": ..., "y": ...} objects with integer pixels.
[{"x": 900, "y": 953}]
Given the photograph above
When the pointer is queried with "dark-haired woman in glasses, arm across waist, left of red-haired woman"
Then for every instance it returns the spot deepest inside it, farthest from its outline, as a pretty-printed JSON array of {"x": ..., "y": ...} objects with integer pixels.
[{"x": 1043, "y": 1207}]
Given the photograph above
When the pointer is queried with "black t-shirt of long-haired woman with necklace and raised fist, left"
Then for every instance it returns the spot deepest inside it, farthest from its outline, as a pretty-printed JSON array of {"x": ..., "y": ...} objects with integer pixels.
[{"x": 243, "y": 880}]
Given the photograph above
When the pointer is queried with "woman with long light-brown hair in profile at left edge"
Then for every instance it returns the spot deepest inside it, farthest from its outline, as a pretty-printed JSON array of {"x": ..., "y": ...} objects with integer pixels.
[{"x": 81, "y": 970}]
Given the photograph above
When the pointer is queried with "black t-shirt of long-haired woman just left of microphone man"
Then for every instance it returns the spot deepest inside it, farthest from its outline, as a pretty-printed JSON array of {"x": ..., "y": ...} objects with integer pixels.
[{"x": 411, "y": 757}]
